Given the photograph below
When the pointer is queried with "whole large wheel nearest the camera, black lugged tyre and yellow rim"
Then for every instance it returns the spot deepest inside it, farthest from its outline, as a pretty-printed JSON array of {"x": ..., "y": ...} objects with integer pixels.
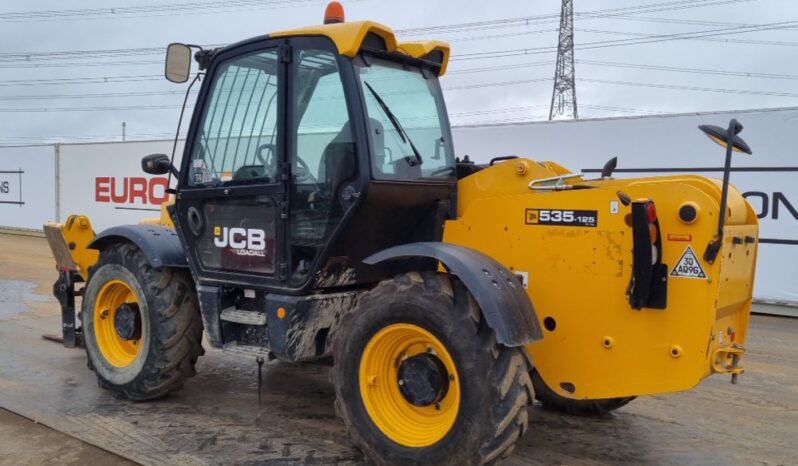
[{"x": 463, "y": 396}]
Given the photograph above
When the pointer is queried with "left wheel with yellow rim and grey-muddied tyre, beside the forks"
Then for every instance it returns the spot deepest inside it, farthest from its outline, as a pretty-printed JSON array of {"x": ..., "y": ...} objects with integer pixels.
[{"x": 168, "y": 324}]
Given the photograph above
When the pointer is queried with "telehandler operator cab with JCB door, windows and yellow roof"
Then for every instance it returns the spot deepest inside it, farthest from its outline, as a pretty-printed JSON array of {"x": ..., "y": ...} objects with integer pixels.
[{"x": 311, "y": 149}]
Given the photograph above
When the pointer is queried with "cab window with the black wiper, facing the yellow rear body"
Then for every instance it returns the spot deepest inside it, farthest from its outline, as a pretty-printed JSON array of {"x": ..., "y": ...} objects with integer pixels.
[{"x": 408, "y": 131}]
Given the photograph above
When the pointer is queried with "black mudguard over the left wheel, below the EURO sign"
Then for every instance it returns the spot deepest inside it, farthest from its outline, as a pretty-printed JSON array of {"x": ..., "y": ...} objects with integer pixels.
[{"x": 160, "y": 244}]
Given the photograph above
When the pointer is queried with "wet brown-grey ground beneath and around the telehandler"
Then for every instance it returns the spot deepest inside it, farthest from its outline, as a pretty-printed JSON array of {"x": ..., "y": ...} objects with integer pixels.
[{"x": 216, "y": 420}]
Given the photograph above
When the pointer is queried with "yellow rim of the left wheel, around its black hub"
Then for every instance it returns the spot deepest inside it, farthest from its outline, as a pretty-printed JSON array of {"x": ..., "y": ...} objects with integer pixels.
[{"x": 116, "y": 350}]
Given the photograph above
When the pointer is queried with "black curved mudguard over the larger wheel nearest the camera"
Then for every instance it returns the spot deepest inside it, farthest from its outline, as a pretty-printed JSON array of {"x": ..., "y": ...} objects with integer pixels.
[{"x": 500, "y": 295}]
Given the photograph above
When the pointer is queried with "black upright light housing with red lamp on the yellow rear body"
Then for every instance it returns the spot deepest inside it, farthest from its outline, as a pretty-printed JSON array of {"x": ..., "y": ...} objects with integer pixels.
[{"x": 648, "y": 285}]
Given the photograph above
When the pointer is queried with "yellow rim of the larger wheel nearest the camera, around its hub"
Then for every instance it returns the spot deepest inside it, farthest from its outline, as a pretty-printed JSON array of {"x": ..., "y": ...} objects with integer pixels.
[{"x": 397, "y": 418}]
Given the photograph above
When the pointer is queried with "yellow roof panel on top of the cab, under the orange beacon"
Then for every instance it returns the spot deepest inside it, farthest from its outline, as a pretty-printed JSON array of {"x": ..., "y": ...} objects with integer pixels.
[{"x": 351, "y": 37}]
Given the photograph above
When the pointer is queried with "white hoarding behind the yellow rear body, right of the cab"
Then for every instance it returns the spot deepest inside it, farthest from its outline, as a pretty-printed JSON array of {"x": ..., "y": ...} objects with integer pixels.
[{"x": 669, "y": 144}]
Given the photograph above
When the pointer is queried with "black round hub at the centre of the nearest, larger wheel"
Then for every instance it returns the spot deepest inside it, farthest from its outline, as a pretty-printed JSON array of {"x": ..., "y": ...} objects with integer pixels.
[{"x": 423, "y": 379}]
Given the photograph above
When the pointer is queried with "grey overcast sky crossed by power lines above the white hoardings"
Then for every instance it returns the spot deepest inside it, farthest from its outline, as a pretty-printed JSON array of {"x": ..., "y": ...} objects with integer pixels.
[{"x": 735, "y": 57}]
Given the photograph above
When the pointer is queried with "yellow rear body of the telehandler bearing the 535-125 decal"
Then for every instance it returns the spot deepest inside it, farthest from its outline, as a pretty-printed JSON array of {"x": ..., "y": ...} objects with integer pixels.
[{"x": 578, "y": 277}]
